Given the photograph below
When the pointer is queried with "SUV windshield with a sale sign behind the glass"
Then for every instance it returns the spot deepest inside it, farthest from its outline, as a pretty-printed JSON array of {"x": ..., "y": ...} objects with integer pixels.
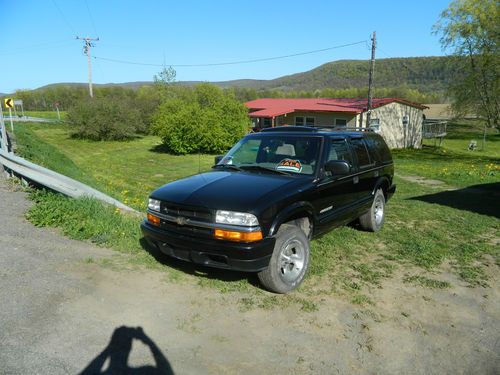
[{"x": 277, "y": 152}]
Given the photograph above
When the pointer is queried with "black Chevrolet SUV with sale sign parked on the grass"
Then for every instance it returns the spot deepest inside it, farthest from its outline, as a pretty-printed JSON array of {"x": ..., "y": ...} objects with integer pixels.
[{"x": 268, "y": 196}]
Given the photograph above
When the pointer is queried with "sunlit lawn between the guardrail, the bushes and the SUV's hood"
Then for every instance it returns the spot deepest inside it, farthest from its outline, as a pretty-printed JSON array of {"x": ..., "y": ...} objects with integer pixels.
[{"x": 128, "y": 170}]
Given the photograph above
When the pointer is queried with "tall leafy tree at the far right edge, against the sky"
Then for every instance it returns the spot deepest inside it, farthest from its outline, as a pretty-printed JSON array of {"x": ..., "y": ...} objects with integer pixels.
[{"x": 470, "y": 29}]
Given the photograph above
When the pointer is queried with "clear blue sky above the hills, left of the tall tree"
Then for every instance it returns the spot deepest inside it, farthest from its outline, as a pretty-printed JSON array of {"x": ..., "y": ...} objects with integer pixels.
[{"x": 38, "y": 43}]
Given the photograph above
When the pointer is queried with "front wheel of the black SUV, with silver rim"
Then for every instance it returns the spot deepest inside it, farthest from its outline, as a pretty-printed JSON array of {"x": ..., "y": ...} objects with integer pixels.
[{"x": 289, "y": 262}]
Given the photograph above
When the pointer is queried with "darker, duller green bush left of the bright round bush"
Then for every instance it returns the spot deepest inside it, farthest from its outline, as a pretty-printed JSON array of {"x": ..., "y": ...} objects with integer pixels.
[{"x": 105, "y": 119}]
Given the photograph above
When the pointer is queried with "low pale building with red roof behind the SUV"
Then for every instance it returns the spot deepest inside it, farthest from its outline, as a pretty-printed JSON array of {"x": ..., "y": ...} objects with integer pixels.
[{"x": 399, "y": 121}]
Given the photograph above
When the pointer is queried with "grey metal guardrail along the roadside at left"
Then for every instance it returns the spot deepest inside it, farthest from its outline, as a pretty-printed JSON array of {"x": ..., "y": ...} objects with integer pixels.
[{"x": 27, "y": 170}]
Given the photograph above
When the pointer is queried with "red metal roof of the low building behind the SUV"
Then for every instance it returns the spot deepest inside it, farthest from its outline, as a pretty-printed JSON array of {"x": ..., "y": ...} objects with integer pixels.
[{"x": 272, "y": 107}]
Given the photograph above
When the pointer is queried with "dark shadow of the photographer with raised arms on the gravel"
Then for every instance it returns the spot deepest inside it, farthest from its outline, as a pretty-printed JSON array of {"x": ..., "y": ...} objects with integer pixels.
[{"x": 117, "y": 352}]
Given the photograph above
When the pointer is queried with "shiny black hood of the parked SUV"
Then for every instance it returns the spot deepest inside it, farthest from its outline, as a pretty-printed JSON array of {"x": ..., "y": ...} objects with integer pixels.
[{"x": 223, "y": 190}]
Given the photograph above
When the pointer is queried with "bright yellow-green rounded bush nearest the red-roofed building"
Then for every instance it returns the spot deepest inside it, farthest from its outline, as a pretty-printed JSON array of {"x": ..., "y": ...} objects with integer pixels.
[{"x": 203, "y": 119}]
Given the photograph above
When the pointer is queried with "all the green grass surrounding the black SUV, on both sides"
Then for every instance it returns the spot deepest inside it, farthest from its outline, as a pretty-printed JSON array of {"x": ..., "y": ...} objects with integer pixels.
[{"x": 426, "y": 227}]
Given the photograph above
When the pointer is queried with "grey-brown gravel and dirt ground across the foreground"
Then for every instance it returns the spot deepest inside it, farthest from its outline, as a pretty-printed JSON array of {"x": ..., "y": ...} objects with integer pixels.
[{"x": 60, "y": 314}]
